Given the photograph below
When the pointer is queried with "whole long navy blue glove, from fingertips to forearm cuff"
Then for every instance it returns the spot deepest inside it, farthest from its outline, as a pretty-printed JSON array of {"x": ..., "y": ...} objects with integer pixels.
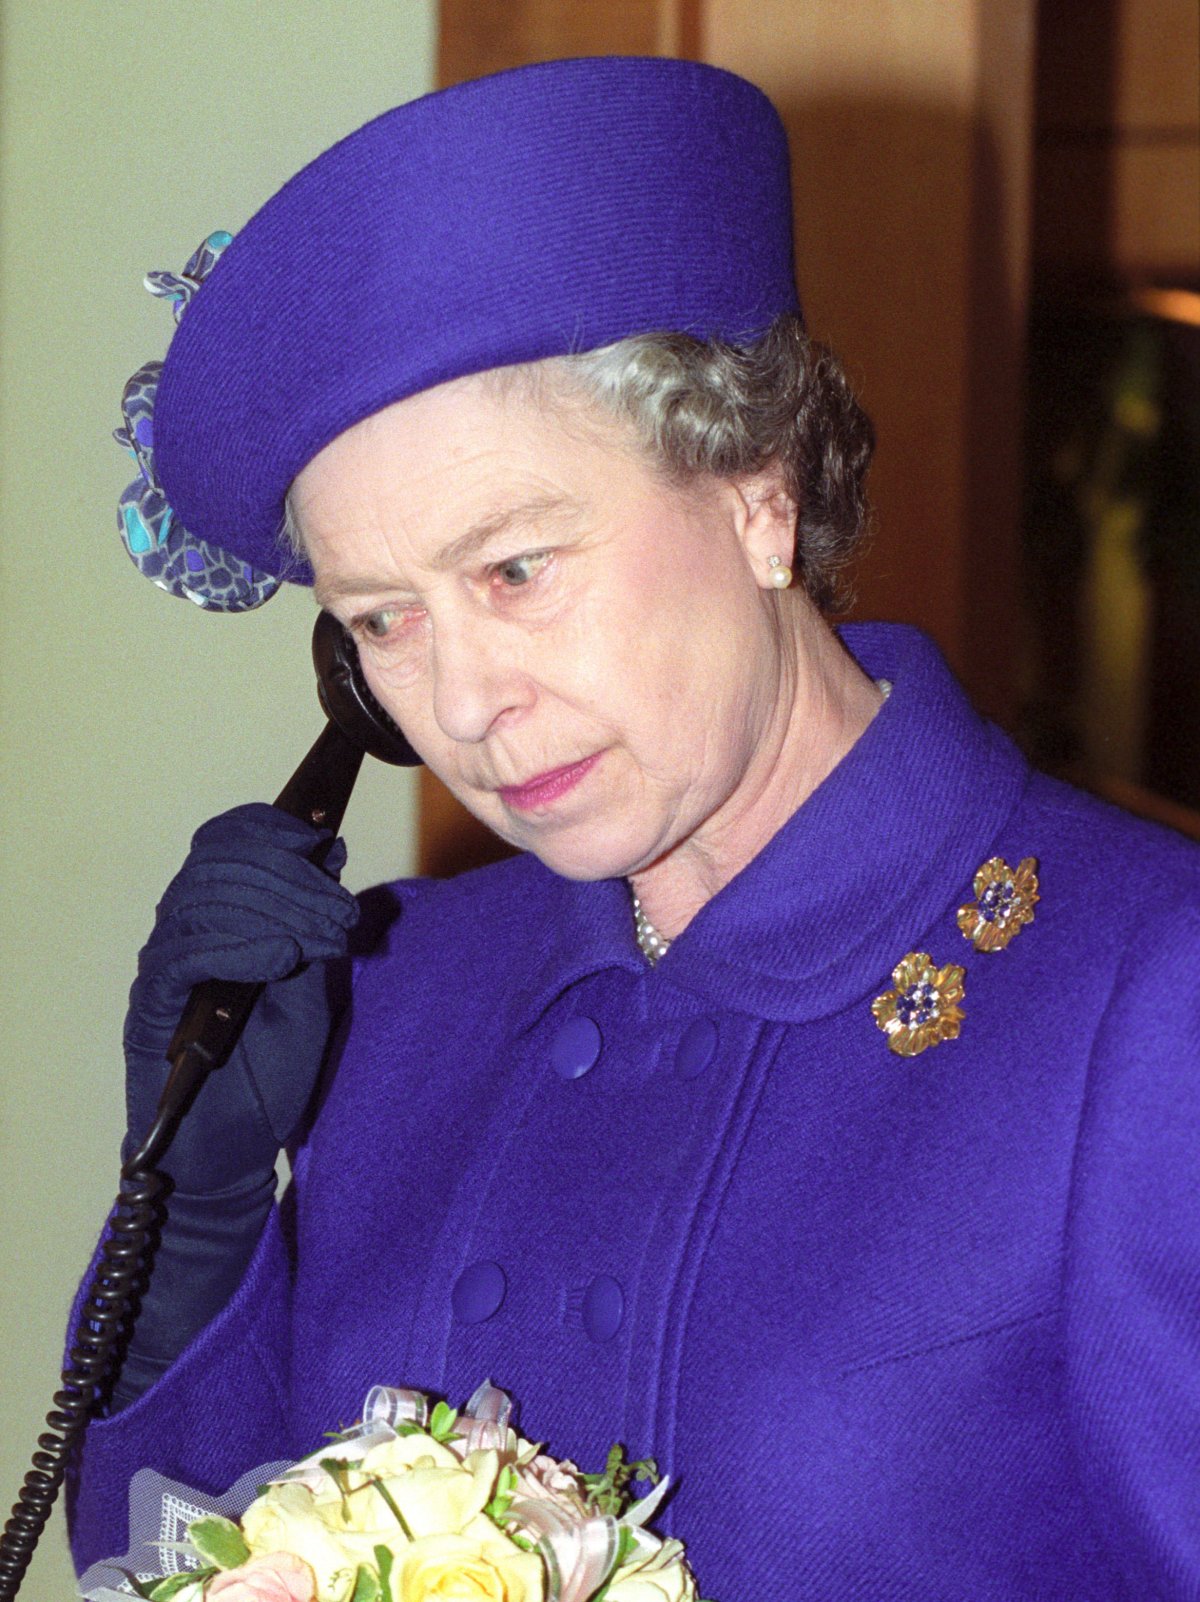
[{"x": 248, "y": 904}]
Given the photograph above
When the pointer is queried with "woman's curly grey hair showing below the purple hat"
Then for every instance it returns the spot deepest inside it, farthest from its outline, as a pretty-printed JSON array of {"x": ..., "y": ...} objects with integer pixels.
[{"x": 711, "y": 408}]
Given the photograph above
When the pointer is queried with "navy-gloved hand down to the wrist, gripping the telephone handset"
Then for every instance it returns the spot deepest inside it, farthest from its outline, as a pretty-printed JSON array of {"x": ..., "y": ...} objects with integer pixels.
[{"x": 248, "y": 904}]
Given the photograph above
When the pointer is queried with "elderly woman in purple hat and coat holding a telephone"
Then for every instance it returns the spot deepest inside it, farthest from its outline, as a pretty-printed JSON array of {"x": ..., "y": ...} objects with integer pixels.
[{"x": 813, "y": 1101}]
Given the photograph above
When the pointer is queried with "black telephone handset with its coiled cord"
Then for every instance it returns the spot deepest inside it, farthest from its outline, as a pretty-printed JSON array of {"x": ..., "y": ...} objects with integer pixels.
[{"x": 212, "y": 1021}]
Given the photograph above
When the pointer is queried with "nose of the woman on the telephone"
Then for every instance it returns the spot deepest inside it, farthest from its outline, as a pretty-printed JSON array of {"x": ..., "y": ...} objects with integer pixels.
[{"x": 477, "y": 678}]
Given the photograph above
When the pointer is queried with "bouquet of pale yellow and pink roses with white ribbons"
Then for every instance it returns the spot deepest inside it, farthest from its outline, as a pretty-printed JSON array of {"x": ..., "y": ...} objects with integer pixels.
[{"x": 422, "y": 1503}]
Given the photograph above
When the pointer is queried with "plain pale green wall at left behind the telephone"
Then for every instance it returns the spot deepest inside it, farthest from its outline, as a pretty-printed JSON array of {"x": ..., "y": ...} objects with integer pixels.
[{"x": 129, "y": 132}]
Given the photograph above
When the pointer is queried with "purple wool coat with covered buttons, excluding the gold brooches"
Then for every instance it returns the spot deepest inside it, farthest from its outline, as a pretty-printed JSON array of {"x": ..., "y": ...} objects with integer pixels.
[{"x": 900, "y": 1329}]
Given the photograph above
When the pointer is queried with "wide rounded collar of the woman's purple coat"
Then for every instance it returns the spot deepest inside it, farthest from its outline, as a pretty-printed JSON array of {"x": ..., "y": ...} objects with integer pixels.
[{"x": 847, "y": 887}]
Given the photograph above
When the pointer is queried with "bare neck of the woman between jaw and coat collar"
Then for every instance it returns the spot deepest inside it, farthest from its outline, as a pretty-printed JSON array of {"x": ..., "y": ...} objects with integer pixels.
[{"x": 826, "y": 704}]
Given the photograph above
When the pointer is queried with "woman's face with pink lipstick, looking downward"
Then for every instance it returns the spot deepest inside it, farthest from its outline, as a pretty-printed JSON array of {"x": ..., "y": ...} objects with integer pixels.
[{"x": 584, "y": 653}]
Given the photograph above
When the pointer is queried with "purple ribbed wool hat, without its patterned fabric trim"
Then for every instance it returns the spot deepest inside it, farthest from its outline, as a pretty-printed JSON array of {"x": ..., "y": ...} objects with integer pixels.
[{"x": 552, "y": 209}]
